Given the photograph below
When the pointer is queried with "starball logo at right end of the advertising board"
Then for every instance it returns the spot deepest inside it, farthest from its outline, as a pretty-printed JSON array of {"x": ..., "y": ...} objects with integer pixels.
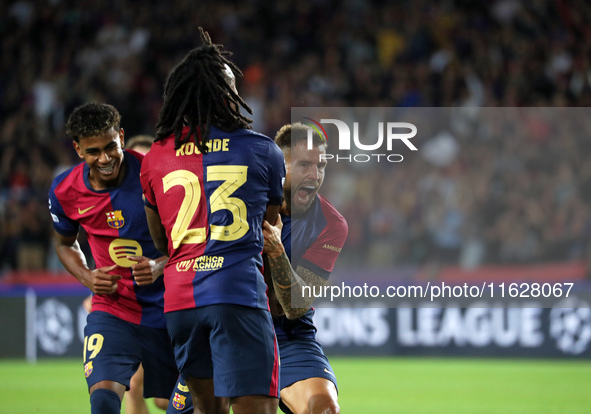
[{"x": 570, "y": 326}]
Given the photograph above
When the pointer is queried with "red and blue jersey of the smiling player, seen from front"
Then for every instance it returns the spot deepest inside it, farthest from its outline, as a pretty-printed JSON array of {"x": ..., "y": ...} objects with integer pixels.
[{"x": 115, "y": 221}]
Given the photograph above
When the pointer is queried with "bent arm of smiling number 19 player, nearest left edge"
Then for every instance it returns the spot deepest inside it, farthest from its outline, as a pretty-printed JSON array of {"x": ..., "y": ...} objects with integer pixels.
[{"x": 99, "y": 281}]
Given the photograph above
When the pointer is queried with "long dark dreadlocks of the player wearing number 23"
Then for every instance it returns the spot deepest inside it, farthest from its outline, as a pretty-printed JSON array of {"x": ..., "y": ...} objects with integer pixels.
[{"x": 197, "y": 93}]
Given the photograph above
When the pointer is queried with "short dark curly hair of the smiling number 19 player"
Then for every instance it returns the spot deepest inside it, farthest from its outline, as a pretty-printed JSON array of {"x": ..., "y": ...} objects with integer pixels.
[{"x": 92, "y": 119}]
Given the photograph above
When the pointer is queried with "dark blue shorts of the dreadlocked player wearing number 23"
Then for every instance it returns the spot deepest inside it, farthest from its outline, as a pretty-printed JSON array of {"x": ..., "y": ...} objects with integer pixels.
[{"x": 235, "y": 345}]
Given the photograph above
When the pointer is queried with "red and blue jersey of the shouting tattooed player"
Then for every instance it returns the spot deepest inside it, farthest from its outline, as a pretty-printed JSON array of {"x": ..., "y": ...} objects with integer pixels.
[{"x": 313, "y": 241}]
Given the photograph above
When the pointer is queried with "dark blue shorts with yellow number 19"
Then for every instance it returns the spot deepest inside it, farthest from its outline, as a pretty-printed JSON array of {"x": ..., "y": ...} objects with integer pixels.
[{"x": 114, "y": 348}]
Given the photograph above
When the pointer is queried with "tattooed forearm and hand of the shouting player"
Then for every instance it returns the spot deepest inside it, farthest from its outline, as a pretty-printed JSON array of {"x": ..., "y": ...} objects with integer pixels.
[{"x": 287, "y": 282}]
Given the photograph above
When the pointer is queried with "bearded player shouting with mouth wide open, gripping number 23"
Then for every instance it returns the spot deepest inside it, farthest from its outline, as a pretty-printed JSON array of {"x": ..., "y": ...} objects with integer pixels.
[{"x": 311, "y": 236}]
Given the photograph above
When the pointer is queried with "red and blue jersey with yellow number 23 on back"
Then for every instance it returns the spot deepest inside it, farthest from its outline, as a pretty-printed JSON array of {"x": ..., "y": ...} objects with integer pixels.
[{"x": 212, "y": 207}]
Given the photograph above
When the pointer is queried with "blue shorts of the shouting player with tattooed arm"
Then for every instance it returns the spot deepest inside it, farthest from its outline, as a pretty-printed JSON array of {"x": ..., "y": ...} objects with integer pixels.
[{"x": 302, "y": 359}]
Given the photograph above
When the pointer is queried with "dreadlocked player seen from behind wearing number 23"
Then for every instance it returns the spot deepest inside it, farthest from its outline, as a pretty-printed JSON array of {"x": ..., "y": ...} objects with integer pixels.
[{"x": 209, "y": 181}]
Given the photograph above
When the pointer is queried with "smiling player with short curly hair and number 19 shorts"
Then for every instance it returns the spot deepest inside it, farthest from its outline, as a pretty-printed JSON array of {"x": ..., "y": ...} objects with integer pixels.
[{"x": 104, "y": 196}]
